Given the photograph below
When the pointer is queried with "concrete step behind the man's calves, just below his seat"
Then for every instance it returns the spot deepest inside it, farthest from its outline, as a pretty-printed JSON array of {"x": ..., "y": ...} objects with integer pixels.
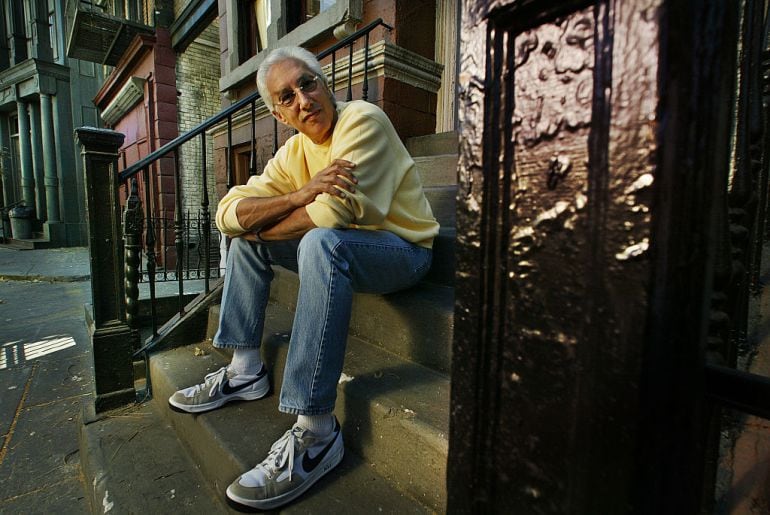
[{"x": 415, "y": 324}]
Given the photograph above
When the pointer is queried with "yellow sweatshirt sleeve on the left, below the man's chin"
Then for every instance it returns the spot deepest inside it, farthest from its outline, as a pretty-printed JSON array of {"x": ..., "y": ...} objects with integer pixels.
[{"x": 275, "y": 180}]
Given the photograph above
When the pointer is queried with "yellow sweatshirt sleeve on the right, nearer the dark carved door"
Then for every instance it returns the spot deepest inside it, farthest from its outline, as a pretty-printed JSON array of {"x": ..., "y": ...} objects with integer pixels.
[{"x": 367, "y": 138}]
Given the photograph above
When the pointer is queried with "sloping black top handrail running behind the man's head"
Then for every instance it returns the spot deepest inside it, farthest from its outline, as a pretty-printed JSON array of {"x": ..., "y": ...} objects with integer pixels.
[{"x": 226, "y": 113}]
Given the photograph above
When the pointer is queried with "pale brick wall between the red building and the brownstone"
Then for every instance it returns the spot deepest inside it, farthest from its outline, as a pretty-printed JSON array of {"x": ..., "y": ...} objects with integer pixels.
[{"x": 197, "y": 73}]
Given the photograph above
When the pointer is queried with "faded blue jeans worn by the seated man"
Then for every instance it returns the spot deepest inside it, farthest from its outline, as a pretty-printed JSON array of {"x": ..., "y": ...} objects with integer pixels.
[{"x": 332, "y": 264}]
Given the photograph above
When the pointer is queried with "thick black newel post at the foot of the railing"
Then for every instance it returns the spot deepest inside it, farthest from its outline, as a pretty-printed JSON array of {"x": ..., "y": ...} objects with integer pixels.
[{"x": 110, "y": 335}]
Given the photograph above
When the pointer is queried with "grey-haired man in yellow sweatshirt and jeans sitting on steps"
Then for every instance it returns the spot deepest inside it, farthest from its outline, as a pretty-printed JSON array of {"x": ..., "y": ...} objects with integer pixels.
[{"x": 344, "y": 197}]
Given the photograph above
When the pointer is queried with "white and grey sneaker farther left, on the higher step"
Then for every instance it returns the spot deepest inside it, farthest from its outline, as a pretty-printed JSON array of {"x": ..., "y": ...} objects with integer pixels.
[{"x": 218, "y": 388}]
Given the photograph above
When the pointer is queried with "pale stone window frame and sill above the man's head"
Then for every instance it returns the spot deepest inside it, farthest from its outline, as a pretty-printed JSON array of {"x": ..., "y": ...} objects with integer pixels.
[{"x": 236, "y": 72}]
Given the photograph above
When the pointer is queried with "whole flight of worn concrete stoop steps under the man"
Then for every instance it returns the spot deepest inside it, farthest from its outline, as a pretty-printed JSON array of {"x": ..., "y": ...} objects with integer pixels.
[{"x": 393, "y": 396}]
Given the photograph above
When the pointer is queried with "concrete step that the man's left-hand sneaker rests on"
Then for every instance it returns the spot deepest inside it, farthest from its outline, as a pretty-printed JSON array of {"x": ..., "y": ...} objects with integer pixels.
[{"x": 394, "y": 415}]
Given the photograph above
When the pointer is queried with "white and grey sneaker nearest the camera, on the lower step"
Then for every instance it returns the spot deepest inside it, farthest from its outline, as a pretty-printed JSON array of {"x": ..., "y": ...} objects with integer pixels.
[{"x": 295, "y": 462}]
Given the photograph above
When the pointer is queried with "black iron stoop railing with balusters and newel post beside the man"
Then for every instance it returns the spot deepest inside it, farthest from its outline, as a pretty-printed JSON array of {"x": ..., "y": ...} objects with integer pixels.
[{"x": 141, "y": 231}]
